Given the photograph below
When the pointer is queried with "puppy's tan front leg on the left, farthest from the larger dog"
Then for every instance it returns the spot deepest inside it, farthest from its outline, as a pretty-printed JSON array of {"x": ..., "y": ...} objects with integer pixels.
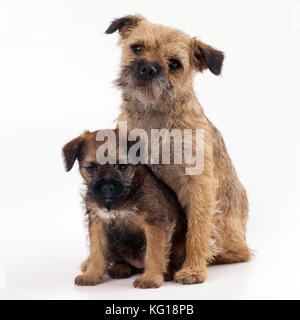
[{"x": 97, "y": 264}]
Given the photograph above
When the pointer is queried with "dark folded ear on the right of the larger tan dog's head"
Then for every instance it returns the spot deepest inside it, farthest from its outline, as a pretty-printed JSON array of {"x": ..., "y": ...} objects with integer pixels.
[{"x": 206, "y": 56}]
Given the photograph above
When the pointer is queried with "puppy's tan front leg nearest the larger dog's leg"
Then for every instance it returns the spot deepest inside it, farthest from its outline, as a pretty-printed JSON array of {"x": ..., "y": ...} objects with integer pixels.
[{"x": 156, "y": 258}]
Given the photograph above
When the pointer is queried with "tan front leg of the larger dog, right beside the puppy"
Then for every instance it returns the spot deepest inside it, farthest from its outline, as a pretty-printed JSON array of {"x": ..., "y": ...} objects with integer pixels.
[{"x": 198, "y": 198}]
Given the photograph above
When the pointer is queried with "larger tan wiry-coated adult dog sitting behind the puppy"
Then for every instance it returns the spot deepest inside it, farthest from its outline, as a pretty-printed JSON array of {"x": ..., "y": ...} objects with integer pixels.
[{"x": 156, "y": 79}]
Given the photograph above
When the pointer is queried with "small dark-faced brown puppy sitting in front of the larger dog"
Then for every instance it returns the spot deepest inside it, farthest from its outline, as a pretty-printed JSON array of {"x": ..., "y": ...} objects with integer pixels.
[{"x": 135, "y": 220}]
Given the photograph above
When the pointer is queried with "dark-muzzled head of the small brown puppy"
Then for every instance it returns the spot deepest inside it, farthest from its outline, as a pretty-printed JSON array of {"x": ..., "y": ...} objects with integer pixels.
[{"x": 107, "y": 185}]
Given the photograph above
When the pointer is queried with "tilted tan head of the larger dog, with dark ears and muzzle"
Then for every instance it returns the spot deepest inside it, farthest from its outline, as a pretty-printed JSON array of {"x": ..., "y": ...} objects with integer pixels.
[{"x": 158, "y": 62}]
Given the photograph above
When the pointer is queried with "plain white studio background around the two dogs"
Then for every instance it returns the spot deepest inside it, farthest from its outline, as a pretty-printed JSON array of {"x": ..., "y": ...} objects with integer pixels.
[{"x": 56, "y": 69}]
